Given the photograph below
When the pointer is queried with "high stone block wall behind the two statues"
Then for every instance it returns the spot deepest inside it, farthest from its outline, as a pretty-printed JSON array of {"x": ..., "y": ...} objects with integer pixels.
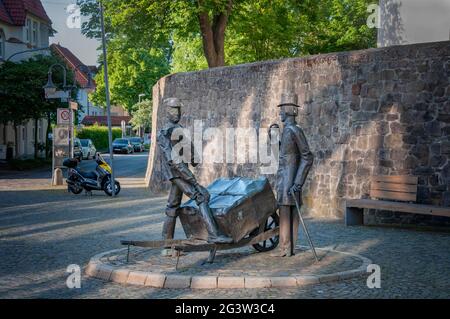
[{"x": 369, "y": 112}]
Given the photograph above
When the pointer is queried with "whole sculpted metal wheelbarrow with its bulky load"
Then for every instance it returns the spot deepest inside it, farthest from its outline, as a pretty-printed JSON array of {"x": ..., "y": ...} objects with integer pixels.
[{"x": 244, "y": 209}]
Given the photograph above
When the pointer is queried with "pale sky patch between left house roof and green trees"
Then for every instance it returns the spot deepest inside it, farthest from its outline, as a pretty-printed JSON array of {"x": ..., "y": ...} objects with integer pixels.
[{"x": 85, "y": 49}]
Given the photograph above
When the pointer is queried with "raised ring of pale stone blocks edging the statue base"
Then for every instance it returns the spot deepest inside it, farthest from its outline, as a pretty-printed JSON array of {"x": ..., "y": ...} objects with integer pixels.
[{"x": 100, "y": 268}]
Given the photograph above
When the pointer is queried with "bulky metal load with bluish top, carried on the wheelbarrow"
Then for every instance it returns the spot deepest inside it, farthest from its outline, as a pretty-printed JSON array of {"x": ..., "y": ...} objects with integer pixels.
[{"x": 239, "y": 206}]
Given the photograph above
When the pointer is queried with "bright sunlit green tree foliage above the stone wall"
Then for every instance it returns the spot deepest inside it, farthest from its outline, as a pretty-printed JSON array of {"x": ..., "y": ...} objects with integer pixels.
[{"x": 151, "y": 38}]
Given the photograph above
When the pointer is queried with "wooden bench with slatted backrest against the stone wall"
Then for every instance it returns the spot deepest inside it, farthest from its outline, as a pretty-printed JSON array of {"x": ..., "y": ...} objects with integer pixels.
[{"x": 384, "y": 189}]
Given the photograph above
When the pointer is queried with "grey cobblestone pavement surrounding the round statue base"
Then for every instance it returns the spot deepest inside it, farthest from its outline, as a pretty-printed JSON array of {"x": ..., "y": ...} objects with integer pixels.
[{"x": 42, "y": 232}]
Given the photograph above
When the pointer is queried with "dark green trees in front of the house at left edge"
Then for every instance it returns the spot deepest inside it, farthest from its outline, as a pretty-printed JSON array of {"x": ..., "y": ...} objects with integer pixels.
[{"x": 22, "y": 93}]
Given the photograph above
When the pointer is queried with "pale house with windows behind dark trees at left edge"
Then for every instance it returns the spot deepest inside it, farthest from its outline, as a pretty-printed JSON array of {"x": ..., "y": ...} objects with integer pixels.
[{"x": 24, "y": 25}]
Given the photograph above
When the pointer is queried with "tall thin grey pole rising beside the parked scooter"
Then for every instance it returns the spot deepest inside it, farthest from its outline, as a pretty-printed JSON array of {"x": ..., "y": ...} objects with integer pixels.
[{"x": 108, "y": 101}]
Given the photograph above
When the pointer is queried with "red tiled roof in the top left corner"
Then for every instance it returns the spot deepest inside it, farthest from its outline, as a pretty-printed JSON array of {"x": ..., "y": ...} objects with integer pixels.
[{"x": 18, "y": 9}]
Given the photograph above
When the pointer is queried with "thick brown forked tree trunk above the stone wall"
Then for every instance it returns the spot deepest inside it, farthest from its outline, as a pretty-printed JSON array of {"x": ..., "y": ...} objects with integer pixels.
[{"x": 213, "y": 34}]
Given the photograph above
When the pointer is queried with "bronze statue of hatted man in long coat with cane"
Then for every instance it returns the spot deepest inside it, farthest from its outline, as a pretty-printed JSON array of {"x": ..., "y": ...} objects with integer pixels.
[{"x": 295, "y": 161}]
